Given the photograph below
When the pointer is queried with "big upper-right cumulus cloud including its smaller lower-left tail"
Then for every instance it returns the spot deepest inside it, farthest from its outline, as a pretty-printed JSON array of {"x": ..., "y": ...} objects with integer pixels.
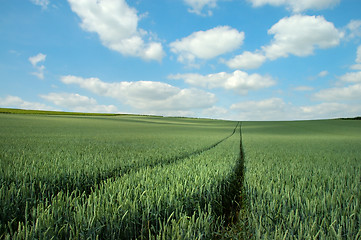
[{"x": 297, "y": 35}]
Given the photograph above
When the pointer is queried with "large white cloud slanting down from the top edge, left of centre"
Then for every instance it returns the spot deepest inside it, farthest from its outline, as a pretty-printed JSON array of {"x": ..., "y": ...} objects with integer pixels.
[{"x": 117, "y": 26}]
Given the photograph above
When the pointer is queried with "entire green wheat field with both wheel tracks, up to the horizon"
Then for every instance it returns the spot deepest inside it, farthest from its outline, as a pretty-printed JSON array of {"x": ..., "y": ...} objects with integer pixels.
[{"x": 84, "y": 176}]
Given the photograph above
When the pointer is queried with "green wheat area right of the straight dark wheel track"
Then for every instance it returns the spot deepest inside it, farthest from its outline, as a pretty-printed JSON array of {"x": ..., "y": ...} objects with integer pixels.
[{"x": 303, "y": 179}]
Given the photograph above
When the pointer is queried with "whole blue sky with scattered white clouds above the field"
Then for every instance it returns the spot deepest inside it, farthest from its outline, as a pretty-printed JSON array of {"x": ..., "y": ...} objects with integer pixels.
[{"x": 228, "y": 59}]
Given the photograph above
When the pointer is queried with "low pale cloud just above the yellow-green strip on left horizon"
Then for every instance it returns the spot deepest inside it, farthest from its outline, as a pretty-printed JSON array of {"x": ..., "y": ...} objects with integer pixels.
[{"x": 78, "y": 103}]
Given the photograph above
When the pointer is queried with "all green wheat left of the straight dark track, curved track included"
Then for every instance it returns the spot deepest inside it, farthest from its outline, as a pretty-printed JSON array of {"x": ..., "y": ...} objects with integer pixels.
[{"x": 116, "y": 177}]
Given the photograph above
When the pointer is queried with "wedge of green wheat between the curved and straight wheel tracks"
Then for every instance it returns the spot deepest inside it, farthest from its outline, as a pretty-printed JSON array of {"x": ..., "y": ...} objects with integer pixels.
[{"x": 148, "y": 203}]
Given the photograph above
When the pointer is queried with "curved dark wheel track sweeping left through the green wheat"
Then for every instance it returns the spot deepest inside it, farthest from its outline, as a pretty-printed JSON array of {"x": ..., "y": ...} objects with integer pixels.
[{"x": 16, "y": 213}]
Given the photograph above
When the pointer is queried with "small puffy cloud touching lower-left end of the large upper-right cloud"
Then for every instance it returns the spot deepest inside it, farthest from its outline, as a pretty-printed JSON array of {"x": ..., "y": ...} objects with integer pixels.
[{"x": 246, "y": 60}]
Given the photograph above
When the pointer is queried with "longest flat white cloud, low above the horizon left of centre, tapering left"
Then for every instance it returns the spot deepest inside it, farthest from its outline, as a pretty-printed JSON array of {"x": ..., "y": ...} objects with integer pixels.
[{"x": 146, "y": 95}]
